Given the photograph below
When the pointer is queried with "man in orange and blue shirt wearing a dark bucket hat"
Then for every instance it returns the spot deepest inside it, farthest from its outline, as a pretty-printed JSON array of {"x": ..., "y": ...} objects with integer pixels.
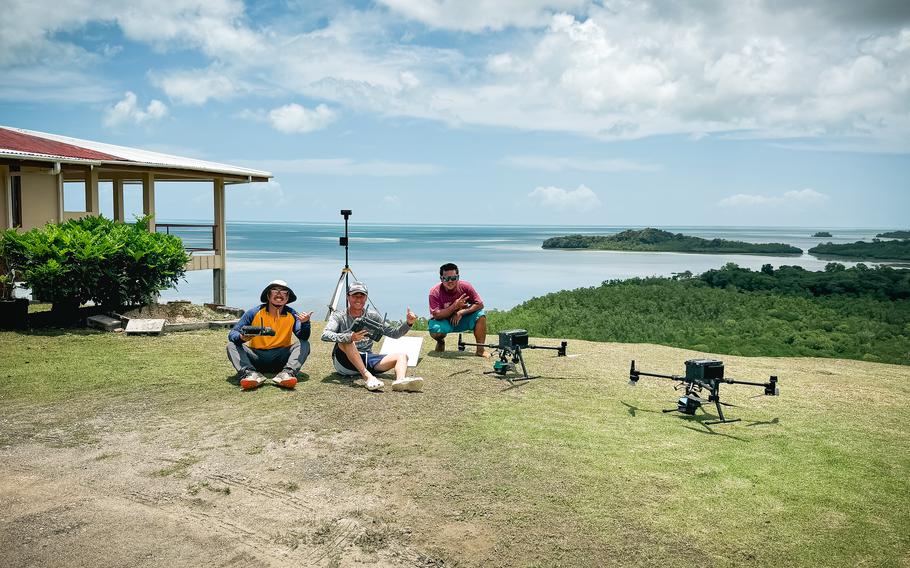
[{"x": 277, "y": 352}]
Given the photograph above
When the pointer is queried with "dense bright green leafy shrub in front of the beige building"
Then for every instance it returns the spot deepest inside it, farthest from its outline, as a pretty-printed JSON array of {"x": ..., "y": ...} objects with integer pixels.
[{"x": 107, "y": 262}]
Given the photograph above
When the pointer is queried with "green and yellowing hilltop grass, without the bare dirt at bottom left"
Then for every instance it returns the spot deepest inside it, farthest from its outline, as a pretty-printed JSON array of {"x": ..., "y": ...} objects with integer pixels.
[{"x": 573, "y": 469}]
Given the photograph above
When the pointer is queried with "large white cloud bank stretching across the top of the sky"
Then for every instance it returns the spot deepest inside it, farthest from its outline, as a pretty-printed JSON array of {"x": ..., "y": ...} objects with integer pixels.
[{"x": 612, "y": 70}]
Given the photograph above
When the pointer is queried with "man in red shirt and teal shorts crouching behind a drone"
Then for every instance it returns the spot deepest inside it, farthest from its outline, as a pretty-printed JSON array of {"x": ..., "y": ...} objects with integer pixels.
[{"x": 455, "y": 306}]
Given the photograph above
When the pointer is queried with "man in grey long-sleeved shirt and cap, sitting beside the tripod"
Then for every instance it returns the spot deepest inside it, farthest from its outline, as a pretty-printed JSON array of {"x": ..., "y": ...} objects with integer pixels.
[{"x": 353, "y": 353}]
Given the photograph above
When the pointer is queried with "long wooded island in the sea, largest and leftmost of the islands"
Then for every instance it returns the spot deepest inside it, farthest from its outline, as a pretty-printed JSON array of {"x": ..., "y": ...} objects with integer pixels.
[{"x": 656, "y": 240}]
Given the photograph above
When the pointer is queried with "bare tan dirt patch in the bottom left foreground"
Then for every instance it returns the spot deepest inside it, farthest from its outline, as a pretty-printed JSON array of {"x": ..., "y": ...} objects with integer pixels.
[{"x": 154, "y": 490}]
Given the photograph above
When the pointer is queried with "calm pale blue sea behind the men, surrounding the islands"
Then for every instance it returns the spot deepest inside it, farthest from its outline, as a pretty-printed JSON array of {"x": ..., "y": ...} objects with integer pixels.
[{"x": 399, "y": 263}]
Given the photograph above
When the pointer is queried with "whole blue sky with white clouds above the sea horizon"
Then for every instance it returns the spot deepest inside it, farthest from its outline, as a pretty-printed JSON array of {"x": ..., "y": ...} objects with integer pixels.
[{"x": 625, "y": 113}]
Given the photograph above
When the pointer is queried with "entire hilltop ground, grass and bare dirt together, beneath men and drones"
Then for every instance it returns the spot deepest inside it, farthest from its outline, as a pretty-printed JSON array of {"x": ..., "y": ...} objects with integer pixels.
[{"x": 573, "y": 469}]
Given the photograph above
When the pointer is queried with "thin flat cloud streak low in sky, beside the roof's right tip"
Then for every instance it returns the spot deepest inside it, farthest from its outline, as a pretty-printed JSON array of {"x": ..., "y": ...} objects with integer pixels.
[{"x": 347, "y": 167}]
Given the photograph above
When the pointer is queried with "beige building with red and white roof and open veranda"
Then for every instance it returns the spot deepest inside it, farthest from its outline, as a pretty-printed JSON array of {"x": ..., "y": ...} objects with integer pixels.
[{"x": 35, "y": 165}]
